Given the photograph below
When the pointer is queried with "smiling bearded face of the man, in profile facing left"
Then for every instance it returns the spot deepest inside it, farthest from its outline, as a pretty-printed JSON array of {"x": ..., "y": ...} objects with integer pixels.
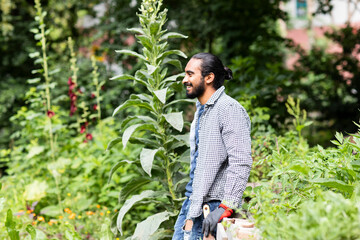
[{"x": 193, "y": 81}]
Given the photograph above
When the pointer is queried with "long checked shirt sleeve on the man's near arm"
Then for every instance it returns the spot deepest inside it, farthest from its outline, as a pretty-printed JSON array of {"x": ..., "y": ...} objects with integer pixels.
[{"x": 236, "y": 136}]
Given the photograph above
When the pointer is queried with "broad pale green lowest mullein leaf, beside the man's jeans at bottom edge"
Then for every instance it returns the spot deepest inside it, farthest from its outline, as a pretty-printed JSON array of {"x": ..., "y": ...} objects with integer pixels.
[{"x": 149, "y": 226}]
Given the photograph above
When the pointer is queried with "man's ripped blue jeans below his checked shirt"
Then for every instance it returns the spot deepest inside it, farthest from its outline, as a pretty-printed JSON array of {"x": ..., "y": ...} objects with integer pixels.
[{"x": 195, "y": 233}]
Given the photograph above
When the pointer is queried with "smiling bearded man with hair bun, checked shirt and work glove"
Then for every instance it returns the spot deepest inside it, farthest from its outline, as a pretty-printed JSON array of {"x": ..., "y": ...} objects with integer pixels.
[{"x": 220, "y": 147}]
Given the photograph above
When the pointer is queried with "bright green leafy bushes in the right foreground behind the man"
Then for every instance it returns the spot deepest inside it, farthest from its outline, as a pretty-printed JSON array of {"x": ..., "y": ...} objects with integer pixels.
[{"x": 306, "y": 189}]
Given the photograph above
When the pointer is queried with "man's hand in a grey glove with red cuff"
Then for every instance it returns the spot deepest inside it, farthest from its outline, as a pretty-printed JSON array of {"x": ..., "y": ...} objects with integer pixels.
[{"x": 210, "y": 222}]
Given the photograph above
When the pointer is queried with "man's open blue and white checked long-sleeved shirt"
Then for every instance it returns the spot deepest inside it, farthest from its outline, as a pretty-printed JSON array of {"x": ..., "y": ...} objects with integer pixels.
[{"x": 224, "y": 161}]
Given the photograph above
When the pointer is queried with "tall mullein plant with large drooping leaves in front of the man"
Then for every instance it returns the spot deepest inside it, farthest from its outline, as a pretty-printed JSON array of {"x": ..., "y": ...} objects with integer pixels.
[{"x": 159, "y": 126}]
